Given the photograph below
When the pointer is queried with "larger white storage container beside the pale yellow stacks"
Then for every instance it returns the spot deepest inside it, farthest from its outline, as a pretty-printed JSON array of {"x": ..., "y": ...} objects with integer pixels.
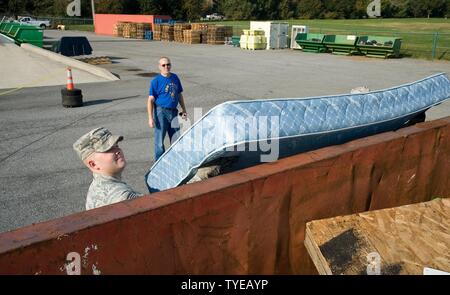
[{"x": 275, "y": 32}]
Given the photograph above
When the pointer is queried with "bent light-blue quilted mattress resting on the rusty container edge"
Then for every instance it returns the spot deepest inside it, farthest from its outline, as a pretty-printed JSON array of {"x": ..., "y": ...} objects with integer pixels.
[{"x": 250, "y": 132}]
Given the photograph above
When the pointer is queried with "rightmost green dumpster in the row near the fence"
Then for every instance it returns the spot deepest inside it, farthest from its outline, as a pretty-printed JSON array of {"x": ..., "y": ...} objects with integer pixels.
[{"x": 379, "y": 46}]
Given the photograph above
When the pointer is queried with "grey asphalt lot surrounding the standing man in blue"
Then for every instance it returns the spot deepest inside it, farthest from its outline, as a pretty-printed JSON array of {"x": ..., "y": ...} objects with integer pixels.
[{"x": 40, "y": 175}]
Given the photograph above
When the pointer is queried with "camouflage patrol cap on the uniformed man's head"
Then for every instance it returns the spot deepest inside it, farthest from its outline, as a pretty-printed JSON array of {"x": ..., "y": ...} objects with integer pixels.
[{"x": 99, "y": 140}]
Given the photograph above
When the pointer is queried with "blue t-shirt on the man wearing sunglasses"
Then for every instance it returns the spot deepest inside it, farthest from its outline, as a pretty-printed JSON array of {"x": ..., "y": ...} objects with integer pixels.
[{"x": 166, "y": 90}]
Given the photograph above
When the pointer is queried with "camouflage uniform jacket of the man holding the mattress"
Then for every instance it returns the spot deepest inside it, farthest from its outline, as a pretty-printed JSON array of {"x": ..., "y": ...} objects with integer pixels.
[{"x": 105, "y": 190}]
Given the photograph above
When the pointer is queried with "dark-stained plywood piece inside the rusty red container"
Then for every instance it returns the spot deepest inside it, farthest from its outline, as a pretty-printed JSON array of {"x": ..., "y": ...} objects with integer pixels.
[{"x": 403, "y": 239}]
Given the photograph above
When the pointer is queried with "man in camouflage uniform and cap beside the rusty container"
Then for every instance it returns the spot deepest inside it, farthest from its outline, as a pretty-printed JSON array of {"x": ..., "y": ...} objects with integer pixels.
[{"x": 99, "y": 151}]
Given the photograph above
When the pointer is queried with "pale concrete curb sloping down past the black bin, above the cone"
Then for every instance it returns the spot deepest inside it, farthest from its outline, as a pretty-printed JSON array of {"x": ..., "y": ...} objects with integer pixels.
[{"x": 71, "y": 62}]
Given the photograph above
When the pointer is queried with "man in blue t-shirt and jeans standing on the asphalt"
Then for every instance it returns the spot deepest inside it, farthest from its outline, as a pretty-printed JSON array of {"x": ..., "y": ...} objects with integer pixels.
[{"x": 164, "y": 95}]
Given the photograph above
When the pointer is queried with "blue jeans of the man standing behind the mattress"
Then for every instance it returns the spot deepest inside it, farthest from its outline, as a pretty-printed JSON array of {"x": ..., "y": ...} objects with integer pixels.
[{"x": 166, "y": 121}]
